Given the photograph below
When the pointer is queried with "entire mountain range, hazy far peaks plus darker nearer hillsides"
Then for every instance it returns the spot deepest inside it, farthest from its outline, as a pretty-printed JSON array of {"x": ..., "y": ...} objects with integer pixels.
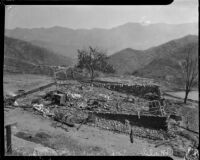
[{"x": 152, "y": 51}]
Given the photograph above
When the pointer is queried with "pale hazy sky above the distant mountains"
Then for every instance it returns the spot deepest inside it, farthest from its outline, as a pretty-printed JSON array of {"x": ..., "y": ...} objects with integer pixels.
[{"x": 77, "y": 16}]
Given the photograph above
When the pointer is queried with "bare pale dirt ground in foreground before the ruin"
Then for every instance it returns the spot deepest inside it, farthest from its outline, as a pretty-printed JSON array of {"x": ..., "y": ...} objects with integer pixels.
[{"x": 105, "y": 142}]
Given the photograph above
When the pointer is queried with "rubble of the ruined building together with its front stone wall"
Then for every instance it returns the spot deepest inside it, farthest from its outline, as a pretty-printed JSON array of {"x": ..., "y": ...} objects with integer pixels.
[{"x": 71, "y": 103}]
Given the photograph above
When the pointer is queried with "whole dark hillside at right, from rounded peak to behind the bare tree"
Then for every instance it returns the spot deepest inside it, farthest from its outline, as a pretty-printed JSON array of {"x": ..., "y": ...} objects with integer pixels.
[{"x": 161, "y": 62}]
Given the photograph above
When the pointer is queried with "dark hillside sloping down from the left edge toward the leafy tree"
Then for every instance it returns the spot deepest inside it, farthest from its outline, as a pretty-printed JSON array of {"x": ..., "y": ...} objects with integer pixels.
[{"x": 21, "y": 56}]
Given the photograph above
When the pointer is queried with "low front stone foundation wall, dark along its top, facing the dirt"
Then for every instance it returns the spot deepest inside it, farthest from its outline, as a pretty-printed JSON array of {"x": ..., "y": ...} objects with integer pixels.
[{"x": 142, "y": 127}]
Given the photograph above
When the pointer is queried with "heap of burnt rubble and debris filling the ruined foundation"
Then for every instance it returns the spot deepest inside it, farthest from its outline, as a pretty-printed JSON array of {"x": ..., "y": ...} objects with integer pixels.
[{"x": 76, "y": 100}]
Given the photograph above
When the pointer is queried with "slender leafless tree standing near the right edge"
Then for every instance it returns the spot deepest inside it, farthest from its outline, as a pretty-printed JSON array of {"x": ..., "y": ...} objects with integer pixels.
[{"x": 189, "y": 70}]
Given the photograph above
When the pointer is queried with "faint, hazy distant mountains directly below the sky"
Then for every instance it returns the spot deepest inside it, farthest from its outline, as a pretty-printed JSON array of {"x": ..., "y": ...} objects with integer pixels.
[{"x": 66, "y": 41}]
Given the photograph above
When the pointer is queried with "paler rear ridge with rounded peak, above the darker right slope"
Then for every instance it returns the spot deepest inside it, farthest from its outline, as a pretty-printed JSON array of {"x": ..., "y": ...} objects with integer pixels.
[{"x": 132, "y": 59}]
